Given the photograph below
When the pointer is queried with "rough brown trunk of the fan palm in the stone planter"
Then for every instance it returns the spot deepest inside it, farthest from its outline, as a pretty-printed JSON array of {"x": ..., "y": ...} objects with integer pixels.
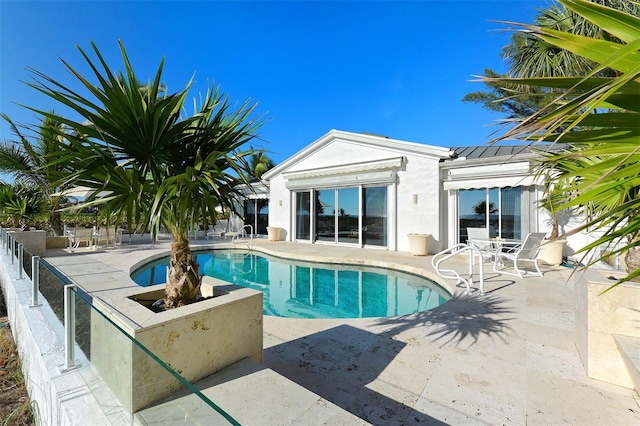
[{"x": 183, "y": 281}]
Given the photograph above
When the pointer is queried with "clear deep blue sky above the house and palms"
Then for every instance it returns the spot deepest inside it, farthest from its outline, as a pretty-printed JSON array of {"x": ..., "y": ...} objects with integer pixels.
[{"x": 393, "y": 68}]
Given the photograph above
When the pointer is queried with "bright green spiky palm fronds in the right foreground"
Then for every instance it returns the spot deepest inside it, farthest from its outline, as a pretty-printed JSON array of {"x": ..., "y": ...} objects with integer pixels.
[{"x": 598, "y": 117}]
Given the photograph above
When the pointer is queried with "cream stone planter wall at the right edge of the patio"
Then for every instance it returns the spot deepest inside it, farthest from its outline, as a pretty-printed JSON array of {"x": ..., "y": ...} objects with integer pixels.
[{"x": 599, "y": 318}]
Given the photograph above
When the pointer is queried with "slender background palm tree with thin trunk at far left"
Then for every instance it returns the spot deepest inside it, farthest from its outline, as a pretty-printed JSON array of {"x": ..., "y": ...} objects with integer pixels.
[{"x": 25, "y": 160}]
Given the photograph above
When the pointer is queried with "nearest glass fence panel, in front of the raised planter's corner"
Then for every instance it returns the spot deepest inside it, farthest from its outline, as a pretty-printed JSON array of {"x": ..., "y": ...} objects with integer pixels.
[{"x": 135, "y": 377}]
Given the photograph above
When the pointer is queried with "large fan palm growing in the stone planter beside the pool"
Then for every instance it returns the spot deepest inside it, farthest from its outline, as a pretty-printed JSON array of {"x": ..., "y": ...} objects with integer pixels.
[{"x": 162, "y": 170}]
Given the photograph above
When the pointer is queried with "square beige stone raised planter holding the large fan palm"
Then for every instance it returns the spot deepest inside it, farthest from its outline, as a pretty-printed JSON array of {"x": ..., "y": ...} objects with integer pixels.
[{"x": 196, "y": 340}]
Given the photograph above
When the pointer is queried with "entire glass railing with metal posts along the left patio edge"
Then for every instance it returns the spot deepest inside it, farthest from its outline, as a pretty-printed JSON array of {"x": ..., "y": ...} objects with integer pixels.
[{"x": 122, "y": 374}]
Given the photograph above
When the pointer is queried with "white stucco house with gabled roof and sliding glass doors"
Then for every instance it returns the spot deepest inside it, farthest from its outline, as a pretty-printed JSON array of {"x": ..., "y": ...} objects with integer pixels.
[{"x": 372, "y": 191}]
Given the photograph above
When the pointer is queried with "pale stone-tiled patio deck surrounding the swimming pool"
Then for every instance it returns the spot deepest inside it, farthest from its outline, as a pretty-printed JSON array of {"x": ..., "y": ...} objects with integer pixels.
[{"x": 507, "y": 357}]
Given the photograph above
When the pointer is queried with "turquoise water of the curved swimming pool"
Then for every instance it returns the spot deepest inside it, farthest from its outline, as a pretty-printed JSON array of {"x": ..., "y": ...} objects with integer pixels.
[{"x": 296, "y": 289}]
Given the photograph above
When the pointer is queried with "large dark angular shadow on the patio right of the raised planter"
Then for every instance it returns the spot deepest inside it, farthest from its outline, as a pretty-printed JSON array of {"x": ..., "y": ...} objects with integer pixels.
[{"x": 344, "y": 365}]
